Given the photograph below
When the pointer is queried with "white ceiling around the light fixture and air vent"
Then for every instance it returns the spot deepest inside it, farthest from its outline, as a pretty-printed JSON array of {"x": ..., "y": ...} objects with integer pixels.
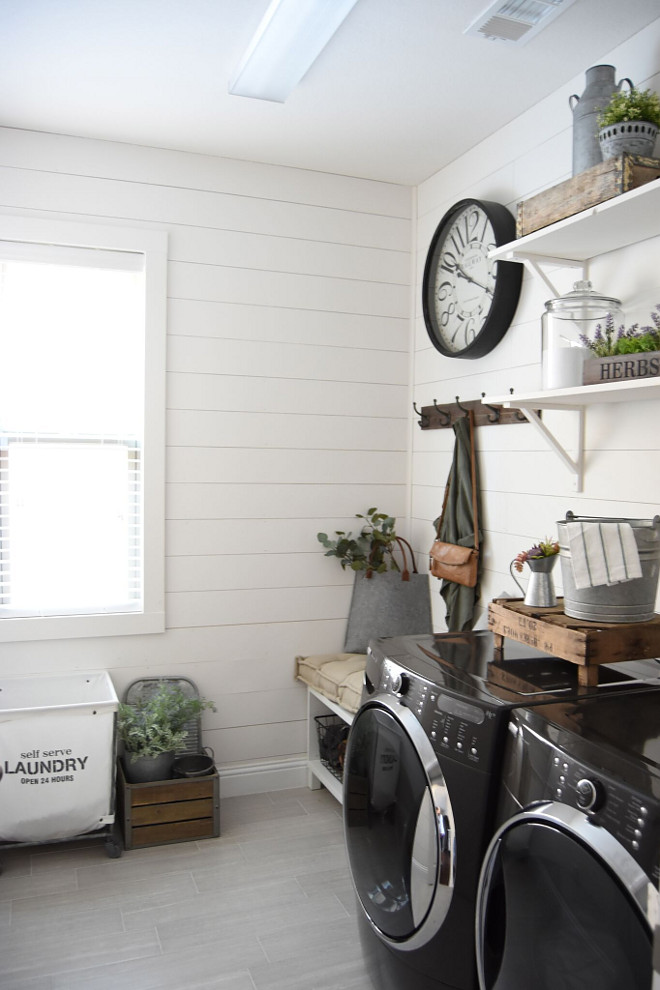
[{"x": 398, "y": 93}]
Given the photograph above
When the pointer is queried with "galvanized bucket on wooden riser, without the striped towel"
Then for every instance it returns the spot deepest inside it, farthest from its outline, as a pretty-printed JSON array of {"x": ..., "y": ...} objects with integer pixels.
[{"x": 629, "y": 601}]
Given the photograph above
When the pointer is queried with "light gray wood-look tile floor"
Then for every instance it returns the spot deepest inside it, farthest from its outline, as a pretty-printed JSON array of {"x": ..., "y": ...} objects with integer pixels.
[{"x": 266, "y": 906}]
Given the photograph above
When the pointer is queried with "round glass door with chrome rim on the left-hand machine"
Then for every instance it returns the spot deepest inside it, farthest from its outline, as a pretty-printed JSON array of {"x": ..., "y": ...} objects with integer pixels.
[{"x": 399, "y": 825}]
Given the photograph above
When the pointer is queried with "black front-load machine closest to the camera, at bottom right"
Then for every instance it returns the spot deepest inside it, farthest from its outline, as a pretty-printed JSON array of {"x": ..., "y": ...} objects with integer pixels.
[{"x": 568, "y": 896}]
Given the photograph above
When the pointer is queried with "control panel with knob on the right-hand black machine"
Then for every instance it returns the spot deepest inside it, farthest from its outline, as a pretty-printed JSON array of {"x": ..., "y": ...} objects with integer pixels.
[{"x": 630, "y": 817}]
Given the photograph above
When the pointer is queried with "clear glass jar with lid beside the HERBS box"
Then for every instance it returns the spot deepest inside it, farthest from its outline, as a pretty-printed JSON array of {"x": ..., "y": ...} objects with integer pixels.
[{"x": 565, "y": 320}]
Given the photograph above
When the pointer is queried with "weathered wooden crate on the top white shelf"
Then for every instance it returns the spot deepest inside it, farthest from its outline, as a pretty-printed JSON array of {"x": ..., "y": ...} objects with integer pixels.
[{"x": 593, "y": 186}]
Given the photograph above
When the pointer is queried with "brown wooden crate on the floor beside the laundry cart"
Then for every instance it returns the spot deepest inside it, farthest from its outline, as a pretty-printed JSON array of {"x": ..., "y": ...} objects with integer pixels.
[{"x": 165, "y": 811}]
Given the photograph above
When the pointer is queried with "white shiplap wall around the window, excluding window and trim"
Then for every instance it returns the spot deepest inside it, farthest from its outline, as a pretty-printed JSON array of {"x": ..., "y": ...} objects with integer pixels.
[{"x": 287, "y": 406}]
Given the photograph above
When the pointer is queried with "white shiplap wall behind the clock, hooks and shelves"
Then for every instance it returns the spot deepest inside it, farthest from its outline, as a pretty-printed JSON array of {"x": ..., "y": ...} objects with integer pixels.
[{"x": 525, "y": 488}]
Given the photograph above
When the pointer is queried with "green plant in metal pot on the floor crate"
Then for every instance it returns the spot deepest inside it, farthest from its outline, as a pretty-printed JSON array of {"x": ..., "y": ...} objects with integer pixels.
[{"x": 153, "y": 729}]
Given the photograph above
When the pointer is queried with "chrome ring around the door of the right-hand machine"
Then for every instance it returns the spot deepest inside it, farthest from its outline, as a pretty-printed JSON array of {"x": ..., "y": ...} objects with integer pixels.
[{"x": 597, "y": 840}]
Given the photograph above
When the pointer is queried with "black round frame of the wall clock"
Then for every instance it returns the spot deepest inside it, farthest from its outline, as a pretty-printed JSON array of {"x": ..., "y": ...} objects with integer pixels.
[{"x": 508, "y": 281}]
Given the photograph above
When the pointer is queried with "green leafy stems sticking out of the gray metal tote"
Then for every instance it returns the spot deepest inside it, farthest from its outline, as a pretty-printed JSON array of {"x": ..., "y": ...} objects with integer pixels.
[{"x": 370, "y": 550}]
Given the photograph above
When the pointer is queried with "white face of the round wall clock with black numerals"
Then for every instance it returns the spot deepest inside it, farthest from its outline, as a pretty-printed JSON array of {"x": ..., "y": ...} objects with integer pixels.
[{"x": 464, "y": 281}]
